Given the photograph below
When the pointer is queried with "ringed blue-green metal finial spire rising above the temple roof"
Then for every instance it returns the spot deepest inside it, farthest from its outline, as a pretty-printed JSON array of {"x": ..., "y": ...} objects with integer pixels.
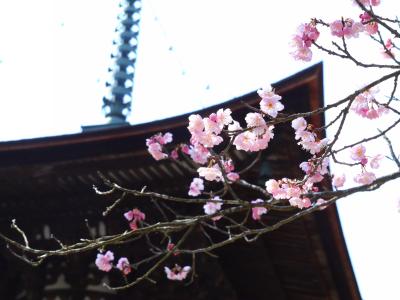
[{"x": 117, "y": 104}]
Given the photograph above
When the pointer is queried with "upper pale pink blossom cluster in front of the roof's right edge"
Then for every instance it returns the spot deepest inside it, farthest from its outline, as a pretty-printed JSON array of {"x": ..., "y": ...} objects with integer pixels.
[{"x": 308, "y": 139}]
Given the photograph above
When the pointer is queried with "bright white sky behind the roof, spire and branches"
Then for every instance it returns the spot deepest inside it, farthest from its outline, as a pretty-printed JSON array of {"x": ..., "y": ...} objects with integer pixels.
[{"x": 54, "y": 57}]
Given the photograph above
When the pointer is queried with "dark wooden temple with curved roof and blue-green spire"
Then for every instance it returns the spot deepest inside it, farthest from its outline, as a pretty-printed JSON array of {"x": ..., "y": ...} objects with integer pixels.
[{"x": 46, "y": 186}]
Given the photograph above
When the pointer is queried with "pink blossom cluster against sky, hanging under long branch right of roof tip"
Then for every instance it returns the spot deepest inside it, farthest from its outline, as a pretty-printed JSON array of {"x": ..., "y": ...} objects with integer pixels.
[{"x": 366, "y": 106}]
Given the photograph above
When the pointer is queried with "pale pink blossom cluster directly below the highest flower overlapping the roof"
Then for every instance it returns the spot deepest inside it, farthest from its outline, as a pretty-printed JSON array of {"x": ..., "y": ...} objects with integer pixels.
[{"x": 257, "y": 137}]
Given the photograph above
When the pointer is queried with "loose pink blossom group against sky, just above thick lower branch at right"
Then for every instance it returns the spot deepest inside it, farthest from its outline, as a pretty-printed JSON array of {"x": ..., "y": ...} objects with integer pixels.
[{"x": 357, "y": 153}]
